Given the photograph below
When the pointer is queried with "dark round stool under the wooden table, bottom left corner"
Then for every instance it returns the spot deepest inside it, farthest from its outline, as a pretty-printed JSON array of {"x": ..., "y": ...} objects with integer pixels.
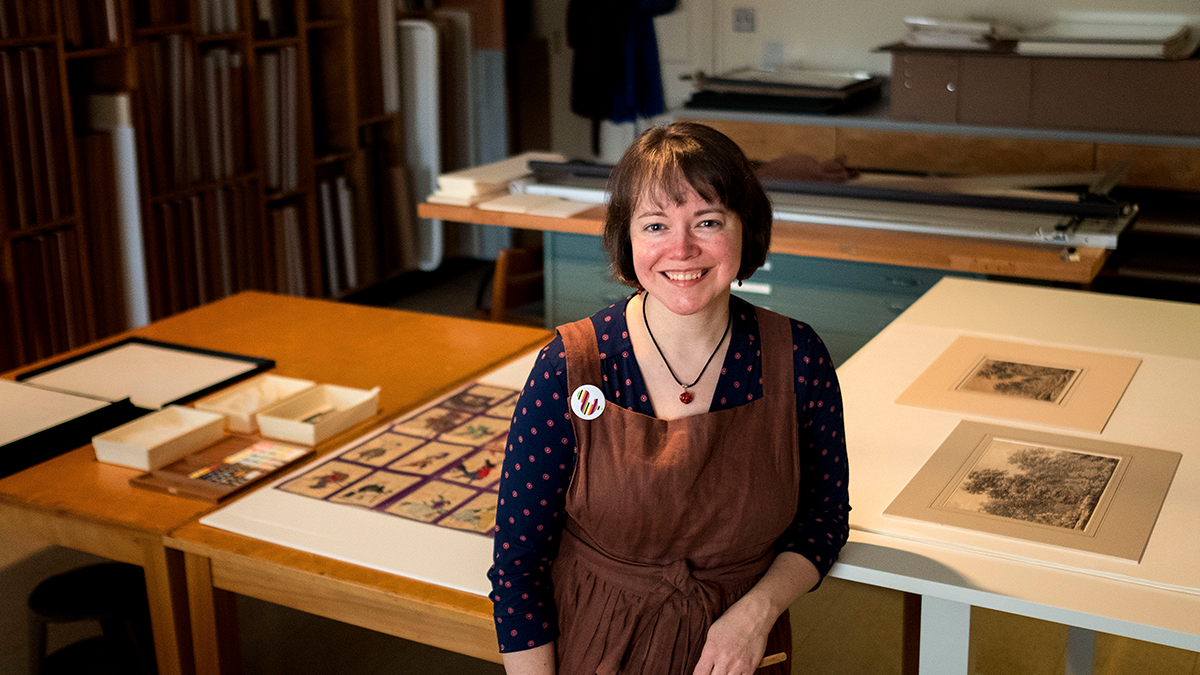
[{"x": 112, "y": 594}]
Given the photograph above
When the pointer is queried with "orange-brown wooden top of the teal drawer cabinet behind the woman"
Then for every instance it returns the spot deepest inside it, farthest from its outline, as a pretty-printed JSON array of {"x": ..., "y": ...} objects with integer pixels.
[{"x": 933, "y": 252}]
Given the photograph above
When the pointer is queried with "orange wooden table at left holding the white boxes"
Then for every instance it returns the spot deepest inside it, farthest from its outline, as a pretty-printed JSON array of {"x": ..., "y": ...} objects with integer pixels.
[{"x": 77, "y": 503}]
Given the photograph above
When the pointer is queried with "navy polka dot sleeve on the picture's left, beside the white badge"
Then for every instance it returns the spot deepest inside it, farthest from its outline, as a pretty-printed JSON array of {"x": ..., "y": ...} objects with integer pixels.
[{"x": 538, "y": 465}]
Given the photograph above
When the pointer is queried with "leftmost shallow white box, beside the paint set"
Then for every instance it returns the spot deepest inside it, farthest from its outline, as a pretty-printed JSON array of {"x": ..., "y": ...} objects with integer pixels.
[{"x": 159, "y": 439}]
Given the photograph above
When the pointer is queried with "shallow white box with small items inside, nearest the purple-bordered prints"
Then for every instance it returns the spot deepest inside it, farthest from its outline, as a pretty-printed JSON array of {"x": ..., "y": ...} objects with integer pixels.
[{"x": 317, "y": 414}]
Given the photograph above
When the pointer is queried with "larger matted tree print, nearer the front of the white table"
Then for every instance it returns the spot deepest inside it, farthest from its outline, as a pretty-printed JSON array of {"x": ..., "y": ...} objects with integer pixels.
[{"x": 1076, "y": 493}]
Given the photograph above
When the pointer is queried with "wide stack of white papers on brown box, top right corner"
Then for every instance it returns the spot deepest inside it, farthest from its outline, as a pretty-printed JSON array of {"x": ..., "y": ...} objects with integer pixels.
[{"x": 1114, "y": 40}]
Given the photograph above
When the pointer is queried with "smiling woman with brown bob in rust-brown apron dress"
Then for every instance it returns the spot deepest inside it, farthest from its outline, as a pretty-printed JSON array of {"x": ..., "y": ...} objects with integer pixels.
[{"x": 659, "y": 536}]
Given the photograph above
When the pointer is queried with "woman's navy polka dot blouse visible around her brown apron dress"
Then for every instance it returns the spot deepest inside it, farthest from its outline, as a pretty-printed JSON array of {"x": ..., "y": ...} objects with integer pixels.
[{"x": 541, "y": 459}]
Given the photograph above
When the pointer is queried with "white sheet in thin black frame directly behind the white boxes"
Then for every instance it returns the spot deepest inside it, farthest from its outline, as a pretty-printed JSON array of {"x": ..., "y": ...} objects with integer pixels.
[{"x": 148, "y": 375}]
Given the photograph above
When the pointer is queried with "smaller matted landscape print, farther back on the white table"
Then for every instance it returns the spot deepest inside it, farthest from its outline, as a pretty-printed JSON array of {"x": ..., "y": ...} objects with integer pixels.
[{"x": 1052, "y": 386}]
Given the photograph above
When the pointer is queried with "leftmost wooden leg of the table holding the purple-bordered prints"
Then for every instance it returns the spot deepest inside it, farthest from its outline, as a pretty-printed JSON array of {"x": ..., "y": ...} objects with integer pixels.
[{"x": 214, "y": 616}]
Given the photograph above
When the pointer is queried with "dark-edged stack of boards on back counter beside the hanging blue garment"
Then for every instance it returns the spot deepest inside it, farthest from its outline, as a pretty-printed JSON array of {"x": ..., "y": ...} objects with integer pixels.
[{"x": 785, "y": 91}]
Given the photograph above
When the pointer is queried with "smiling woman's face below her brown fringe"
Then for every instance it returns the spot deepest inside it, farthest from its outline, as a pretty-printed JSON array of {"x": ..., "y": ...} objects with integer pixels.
[{"x": 686, "y": 256}]
